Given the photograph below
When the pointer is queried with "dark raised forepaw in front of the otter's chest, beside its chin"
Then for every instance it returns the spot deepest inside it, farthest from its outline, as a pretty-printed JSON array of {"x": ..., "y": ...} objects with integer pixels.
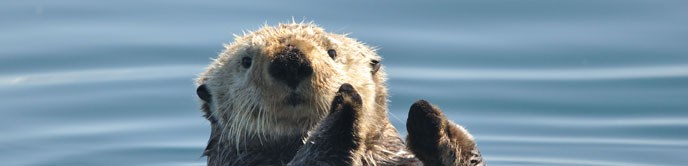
[{"x": 336, "y": 136}]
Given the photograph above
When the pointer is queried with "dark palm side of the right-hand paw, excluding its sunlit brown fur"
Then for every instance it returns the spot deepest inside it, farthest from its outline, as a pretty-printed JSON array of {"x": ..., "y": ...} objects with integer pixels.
[{"x": 425, "y": 127}]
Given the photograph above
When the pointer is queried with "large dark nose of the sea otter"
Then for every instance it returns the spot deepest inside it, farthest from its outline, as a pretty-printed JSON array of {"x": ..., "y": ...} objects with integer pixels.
[{"x": 290, "y": 67}]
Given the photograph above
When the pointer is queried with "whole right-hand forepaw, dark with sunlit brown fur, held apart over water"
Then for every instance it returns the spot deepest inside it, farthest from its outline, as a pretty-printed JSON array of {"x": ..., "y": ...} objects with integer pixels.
[{"x": 437, "y": 141}]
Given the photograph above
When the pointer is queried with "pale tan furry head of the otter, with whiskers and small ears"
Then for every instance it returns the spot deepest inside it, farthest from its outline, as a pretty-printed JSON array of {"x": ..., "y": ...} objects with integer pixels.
[{"x": 279, "y": 82}]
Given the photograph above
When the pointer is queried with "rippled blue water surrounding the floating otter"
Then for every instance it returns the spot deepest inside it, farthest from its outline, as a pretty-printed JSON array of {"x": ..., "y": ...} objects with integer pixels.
[{"x": 537, "y": 82}]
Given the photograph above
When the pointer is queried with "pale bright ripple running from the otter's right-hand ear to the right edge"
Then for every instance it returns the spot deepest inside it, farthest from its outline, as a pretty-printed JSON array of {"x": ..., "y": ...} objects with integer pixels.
[{"x": 444, "y": 74}]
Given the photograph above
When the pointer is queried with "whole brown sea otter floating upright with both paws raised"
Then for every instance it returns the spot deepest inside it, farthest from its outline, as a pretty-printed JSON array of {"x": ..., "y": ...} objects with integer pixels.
[{"x": 294, "y": 94}]
